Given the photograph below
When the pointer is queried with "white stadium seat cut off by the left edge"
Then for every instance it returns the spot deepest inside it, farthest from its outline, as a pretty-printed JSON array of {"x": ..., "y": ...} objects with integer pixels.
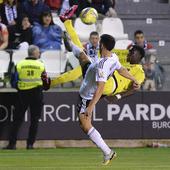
[{"x": 4, "y": 62}]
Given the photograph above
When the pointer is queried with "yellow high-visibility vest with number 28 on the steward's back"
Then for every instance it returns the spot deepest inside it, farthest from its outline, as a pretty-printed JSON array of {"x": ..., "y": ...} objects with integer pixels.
[{"x": 29, "y": 72}]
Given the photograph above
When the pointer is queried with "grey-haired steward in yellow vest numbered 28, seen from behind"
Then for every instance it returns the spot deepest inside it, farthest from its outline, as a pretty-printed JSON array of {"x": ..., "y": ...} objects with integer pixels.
[{"x": 29, "y": 79}]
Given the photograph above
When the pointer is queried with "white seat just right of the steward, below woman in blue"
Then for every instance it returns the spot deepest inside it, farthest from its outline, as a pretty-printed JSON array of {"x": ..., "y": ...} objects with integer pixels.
[{"x": 55, "y": 62}]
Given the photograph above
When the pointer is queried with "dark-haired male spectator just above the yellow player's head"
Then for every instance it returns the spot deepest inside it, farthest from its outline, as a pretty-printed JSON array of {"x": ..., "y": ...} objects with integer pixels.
[{"x": 140, "y": 40}]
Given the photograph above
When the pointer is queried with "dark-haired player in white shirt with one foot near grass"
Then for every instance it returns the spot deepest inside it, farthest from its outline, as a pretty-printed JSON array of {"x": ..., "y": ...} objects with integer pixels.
[{"x": 95, "y": 76}]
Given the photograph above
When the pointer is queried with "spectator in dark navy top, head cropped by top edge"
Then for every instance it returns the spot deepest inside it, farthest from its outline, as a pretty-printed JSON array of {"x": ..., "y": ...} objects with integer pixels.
[{"x": 33, "y": 9}]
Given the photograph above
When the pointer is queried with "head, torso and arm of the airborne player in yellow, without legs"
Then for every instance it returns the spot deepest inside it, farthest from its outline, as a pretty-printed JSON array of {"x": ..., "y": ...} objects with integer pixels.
[{"x": 118, "y": 86}]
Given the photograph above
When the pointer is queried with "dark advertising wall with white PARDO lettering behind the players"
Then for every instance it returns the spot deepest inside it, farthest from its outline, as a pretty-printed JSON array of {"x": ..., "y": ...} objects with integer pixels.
[{"x": 141, "y": 116}]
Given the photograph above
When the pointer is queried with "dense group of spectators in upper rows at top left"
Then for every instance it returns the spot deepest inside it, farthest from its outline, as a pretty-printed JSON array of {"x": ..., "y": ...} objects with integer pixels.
[{"x": 21, "y": 22}]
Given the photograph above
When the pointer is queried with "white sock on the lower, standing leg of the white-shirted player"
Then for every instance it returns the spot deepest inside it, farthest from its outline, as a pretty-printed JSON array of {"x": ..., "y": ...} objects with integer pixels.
[{"x": 95, "y": 136}]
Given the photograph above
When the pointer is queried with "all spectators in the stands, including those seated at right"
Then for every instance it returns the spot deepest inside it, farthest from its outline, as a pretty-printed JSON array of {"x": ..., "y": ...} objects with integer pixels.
[{"x": 26, "y": 22}]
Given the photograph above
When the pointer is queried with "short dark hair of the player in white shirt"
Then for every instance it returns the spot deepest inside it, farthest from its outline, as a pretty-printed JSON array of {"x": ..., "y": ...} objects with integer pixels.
[{"x": 108, "y": 41}]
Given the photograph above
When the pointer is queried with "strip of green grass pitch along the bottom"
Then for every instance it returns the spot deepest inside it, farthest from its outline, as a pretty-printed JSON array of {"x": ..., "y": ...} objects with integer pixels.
[{"x": 84, "y": 159}]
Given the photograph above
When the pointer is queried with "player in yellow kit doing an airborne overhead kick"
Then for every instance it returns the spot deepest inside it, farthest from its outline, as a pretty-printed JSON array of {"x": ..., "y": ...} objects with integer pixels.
[{"x": 116, "y": 86}]
